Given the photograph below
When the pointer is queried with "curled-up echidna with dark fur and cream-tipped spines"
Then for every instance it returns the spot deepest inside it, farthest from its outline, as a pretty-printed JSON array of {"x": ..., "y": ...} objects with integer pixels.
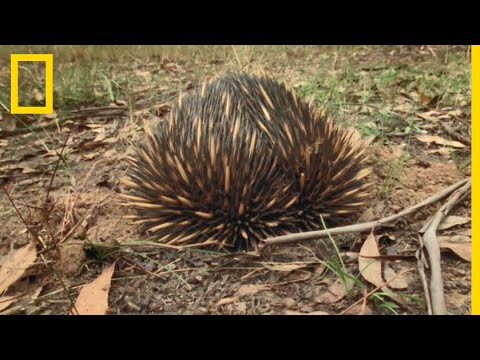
[{"x": 242, "y": 159}]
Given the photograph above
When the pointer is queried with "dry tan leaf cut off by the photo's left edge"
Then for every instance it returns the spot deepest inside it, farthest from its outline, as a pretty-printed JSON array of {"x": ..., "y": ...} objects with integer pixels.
[{"x": 15, "y": 264}]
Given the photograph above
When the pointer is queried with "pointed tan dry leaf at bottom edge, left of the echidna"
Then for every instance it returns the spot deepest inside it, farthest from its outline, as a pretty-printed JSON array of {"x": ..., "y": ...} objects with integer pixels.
[{"x": 93, "y": 298}]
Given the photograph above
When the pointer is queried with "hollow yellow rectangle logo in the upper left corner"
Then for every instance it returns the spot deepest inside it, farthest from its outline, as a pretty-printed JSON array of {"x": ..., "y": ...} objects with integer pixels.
[{"x": 14, "y": 107}]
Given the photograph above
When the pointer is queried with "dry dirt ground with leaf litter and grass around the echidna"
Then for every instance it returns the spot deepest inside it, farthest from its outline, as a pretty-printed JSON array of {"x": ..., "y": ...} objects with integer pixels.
[{"x": 83, "y": 228}]
